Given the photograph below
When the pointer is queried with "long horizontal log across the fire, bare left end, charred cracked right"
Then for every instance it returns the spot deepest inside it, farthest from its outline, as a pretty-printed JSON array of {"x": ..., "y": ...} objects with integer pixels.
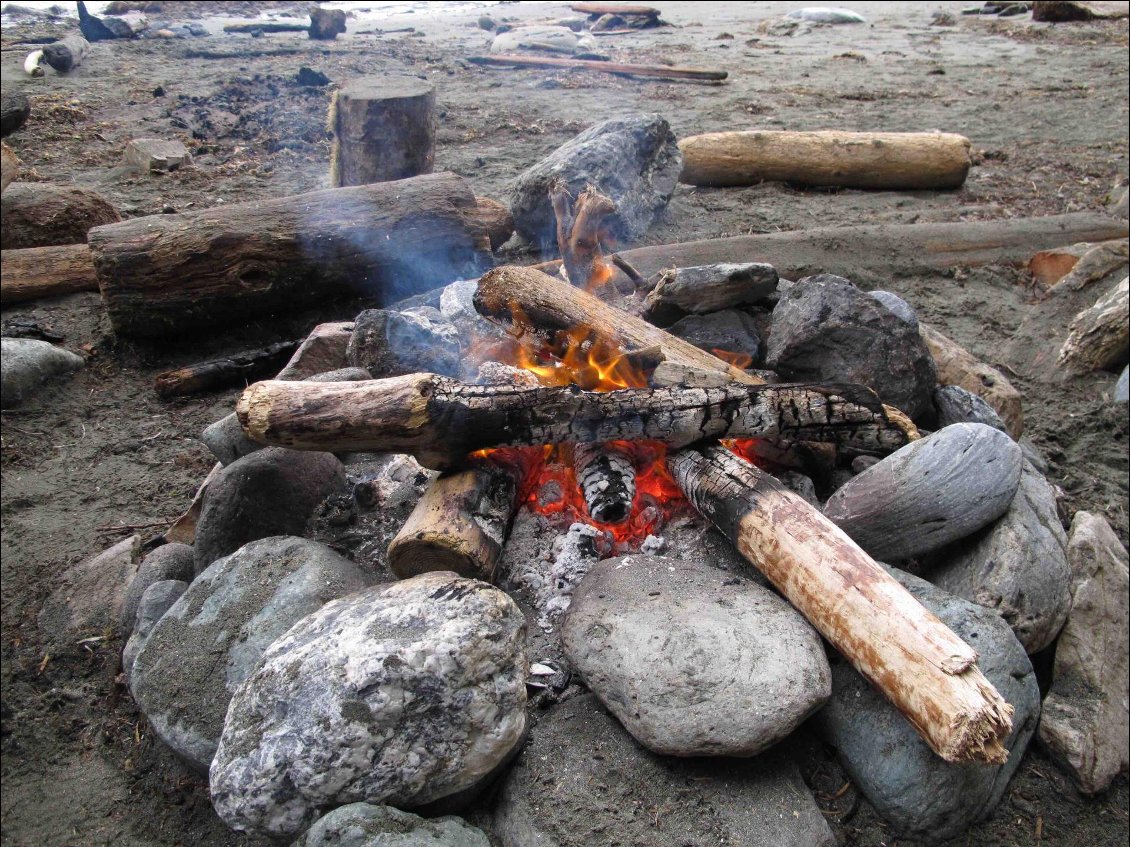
[{"x": 441, "y": 421}]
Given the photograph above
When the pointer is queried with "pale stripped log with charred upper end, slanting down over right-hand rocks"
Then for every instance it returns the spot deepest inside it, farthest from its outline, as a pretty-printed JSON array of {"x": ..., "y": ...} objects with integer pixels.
[{"x": 919, "y": 665}]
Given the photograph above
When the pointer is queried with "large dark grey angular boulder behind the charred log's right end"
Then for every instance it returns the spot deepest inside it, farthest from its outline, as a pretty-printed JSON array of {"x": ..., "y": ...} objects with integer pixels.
[{"x": 827, "y": 330}]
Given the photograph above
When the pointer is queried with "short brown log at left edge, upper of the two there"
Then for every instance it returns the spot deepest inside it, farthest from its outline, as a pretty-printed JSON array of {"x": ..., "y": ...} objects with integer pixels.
[{"x": 38, "y": 215}]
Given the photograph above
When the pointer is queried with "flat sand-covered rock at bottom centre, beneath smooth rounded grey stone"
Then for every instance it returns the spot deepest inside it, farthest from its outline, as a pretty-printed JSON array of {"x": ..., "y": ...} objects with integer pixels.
[{"x": 581, "y": 781}]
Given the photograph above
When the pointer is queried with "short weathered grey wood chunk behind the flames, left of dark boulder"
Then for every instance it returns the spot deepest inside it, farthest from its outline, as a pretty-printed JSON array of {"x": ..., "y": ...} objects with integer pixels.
[{"x": 708, "y": 289}]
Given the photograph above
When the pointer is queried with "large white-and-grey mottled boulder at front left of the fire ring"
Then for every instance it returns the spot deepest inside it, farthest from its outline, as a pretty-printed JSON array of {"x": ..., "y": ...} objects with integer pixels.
[{"x": 403, "y": 694}]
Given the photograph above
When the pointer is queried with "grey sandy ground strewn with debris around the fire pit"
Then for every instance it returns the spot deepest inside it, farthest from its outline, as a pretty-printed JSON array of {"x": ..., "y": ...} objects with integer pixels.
[{"x": 1046, "y": 108}]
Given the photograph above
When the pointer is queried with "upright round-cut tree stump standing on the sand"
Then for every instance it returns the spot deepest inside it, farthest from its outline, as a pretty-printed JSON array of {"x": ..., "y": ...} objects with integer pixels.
[{"x": 384, "y": 129}]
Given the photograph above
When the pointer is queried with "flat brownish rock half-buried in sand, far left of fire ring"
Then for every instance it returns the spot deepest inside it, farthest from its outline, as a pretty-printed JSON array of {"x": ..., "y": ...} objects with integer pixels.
[{"x": 90, "y": 599}]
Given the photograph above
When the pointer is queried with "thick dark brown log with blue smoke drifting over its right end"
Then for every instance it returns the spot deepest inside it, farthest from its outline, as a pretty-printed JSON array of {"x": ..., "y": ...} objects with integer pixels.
[{"x": 173, "y": 274}]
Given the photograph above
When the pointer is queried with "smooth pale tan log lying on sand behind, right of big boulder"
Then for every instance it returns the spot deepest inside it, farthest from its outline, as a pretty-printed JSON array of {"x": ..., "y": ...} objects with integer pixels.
[{"x": 891, "y": 161}]
